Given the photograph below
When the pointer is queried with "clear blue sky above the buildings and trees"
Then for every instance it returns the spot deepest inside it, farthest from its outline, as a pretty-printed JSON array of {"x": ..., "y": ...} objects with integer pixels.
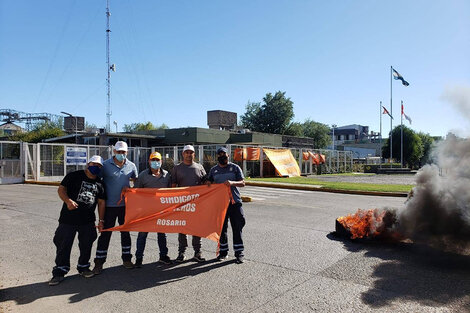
[{"x": 177, "y": 59}]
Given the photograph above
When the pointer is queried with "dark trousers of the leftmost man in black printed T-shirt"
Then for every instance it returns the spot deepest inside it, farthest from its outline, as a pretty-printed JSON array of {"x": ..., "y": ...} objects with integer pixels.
[{"x": 63, "y": 240}]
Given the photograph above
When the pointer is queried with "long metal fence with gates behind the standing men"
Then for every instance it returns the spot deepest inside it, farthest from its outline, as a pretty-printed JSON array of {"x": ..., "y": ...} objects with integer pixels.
[{"x": 20, "y": 161}]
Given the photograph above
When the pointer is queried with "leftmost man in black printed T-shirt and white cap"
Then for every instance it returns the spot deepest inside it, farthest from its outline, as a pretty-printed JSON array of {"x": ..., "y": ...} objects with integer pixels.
[{"x": 81, "y": 191}]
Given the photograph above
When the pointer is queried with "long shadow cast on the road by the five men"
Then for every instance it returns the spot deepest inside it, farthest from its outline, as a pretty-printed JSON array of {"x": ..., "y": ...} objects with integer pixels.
[{"x": 114, "y": 278}]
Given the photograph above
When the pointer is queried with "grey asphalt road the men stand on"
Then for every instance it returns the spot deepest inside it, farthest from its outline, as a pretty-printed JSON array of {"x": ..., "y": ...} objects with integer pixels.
[{"x": 293, "y": 264}]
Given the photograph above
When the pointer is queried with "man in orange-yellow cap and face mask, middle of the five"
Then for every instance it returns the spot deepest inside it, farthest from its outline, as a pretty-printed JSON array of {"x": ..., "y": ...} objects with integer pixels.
[{"x": 153, "y": 177}]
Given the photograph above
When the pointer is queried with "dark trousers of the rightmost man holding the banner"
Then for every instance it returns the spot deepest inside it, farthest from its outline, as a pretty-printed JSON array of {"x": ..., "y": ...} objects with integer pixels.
[{"x": 237, "y": 221}]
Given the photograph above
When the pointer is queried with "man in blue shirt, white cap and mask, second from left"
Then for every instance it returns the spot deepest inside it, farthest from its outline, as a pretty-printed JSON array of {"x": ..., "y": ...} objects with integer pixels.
[{"x": 117, "y": 172}]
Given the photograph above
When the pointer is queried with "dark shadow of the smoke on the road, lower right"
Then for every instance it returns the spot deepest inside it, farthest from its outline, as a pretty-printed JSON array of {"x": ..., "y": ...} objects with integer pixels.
[{"x": 412, "y": 272}]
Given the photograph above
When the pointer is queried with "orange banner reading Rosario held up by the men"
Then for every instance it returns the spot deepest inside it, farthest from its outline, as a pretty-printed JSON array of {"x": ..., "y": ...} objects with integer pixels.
[{"x": 198, "y": 210}]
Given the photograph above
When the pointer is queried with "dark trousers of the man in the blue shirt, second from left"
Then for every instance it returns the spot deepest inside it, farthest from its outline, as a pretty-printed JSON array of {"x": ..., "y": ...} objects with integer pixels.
[{"x": 110, "y": 216}]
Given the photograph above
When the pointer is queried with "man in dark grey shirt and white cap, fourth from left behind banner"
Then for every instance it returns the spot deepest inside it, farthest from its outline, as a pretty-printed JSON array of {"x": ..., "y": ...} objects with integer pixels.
[{"x": 188, "y": 173}]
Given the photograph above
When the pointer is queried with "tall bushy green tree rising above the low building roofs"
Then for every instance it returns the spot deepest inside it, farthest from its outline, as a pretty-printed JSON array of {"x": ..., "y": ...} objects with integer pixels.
[{"x": 273, "y": 116}]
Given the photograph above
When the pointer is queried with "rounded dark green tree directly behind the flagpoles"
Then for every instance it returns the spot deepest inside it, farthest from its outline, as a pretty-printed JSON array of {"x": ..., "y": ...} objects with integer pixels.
[{"x": 412, "y": 147}]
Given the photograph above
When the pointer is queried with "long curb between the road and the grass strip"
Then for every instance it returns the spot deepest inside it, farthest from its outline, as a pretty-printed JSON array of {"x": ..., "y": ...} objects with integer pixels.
[{"x": 321, "y": 189}]
